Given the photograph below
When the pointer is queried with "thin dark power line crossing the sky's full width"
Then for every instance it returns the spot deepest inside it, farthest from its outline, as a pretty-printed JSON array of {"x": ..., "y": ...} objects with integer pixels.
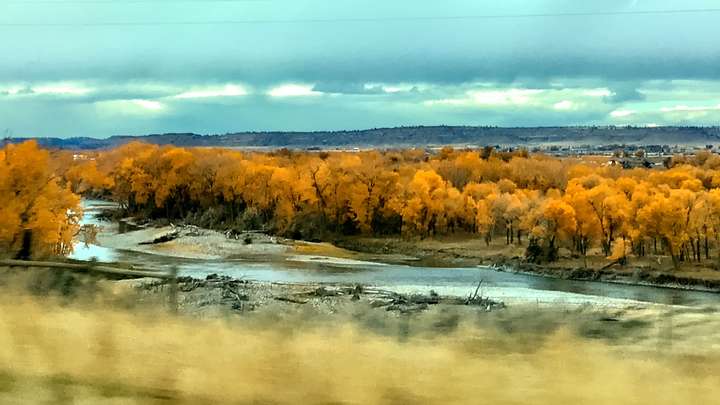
[{"x": 364, "y": 19}]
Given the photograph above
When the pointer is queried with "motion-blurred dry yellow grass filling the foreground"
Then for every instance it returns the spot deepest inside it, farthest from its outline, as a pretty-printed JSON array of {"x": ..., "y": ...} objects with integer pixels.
[{"x": 72, "y": 353}]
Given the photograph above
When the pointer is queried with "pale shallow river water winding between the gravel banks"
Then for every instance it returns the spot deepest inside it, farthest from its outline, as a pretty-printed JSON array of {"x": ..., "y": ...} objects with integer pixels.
[{"x": 508, "y": 287}]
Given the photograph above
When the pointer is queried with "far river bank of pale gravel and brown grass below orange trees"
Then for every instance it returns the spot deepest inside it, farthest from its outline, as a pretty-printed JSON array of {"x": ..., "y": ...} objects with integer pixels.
[{"x": 463, "y": 251}]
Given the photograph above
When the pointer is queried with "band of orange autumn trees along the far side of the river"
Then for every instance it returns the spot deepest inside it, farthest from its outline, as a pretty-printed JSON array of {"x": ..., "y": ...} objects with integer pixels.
[{"x": 540, "y": 202}]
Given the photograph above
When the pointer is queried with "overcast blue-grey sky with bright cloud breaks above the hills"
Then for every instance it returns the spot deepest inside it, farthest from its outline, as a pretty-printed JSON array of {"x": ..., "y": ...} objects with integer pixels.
[{"x": 106, "y": 67}]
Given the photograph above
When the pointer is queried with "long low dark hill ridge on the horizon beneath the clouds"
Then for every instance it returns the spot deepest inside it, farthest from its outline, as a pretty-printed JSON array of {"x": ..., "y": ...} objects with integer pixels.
[{"x": 416, "y": 136}]
